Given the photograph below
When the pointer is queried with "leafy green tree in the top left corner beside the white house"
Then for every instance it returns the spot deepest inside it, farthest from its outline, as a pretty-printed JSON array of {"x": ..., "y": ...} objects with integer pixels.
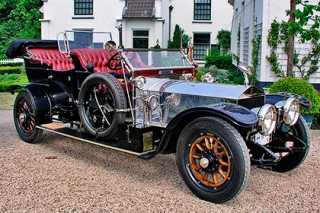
[{"x": 18, "y": 19}]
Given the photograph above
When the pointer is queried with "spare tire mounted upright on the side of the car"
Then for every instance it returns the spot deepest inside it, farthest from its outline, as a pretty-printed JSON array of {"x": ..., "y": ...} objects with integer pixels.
[{"x": 110, "y": 96}]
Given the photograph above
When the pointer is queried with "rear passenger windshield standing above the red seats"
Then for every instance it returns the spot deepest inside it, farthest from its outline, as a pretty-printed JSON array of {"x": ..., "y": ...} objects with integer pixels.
[{"x": 70, "y": 40}]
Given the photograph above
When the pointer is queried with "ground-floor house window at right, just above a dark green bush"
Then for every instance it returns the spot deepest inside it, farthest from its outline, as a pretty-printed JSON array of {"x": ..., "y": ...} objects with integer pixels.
[{"x": 201, "y": 42}]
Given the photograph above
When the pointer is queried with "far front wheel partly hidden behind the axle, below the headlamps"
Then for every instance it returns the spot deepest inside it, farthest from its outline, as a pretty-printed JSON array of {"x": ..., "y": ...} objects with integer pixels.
[{"x": 290, "y": 161}]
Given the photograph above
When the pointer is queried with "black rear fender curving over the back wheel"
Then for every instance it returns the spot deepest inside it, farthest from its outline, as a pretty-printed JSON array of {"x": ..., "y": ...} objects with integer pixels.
[{"x": 40, "y": 100}]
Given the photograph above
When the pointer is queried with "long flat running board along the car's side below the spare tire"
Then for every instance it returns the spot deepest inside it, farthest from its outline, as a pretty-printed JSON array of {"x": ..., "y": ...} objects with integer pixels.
[{"x": 74, "y": 134}]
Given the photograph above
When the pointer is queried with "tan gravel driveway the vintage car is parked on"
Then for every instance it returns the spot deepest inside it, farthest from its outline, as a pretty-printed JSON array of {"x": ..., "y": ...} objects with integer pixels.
[{"x": 61, "y": 174}]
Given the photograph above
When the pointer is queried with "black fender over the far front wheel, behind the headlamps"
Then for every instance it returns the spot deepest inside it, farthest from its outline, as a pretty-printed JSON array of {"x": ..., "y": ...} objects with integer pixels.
[{"x": 273, "y": 98}]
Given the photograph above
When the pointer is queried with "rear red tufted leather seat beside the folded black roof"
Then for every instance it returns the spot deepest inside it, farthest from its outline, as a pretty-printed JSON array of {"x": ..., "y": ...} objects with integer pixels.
[{"x": 53, "y": 58}]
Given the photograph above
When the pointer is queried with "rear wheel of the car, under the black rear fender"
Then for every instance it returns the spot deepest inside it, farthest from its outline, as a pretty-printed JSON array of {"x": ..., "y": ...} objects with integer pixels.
[{"x": 25, "y": 119}]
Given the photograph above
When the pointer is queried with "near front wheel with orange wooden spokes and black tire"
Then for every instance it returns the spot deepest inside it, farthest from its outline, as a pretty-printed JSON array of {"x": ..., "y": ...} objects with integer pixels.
[{"x": 213, "y": 159}]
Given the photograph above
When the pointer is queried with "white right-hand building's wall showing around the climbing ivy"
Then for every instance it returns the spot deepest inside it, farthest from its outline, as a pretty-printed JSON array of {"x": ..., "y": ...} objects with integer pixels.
[{"x": 254, "y": 17}]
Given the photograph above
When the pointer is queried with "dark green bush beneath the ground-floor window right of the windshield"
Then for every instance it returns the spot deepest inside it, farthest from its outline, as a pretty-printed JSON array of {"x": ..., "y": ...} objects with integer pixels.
[{"x": 221, "y": 61}]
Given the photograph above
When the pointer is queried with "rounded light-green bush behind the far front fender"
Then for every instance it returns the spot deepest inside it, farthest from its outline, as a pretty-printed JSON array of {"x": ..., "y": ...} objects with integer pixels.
[{"x": 300, "y": 87}]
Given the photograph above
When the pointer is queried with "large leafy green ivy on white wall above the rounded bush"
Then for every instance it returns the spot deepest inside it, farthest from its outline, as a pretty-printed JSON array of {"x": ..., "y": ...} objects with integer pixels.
[{"x": 307, "y": 29}]
